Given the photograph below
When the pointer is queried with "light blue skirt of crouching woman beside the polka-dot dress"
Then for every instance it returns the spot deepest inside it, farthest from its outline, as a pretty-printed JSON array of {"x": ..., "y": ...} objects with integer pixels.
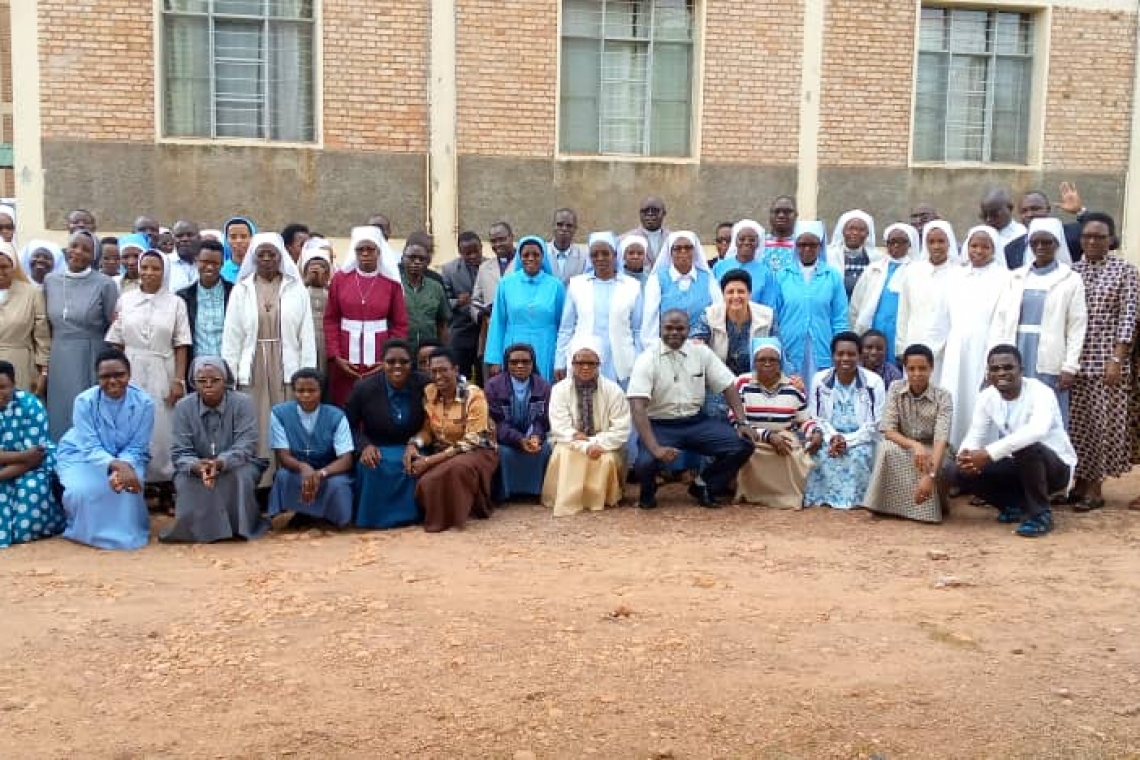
[{"x": 97, "y": 516}]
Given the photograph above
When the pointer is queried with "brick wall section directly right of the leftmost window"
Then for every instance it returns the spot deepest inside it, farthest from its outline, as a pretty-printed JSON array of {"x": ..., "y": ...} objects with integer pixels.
[{"x": 376, "y": 76}]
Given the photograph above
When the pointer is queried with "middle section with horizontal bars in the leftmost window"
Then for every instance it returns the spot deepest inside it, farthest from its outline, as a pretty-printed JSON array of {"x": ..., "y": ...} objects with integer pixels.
[{"x": 239, "y": 85}]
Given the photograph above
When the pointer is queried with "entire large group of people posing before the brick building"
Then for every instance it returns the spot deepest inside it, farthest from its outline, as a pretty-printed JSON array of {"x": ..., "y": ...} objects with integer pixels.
[{"x": 237, "y": 374}]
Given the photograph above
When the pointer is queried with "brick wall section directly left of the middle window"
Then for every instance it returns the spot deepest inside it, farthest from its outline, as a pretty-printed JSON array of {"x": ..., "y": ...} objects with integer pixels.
[{"x": 508, "y": 77}]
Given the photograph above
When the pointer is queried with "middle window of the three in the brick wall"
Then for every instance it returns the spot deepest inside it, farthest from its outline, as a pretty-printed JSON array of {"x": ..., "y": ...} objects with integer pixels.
[{"x": 628, "y": 78}]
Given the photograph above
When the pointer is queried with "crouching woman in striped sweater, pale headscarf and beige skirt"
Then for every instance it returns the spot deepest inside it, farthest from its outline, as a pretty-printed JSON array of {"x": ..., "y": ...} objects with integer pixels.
[{"x": 777, "y": 408}]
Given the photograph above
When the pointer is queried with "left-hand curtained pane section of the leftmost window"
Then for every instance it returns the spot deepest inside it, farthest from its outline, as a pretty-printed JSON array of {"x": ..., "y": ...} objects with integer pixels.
[{"x": 186, "y": 59}]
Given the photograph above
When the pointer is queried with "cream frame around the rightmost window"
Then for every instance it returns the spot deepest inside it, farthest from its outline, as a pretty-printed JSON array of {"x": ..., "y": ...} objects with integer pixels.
[{"x": 1041, "y": 12}]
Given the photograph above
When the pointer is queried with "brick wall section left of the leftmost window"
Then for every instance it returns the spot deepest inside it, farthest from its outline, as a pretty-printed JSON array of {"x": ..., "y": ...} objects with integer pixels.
[{"x": 97, "y": 70}]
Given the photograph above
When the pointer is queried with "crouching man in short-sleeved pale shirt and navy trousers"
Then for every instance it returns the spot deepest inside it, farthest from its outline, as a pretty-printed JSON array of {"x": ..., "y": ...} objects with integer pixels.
[{"x": 667, "y": 391}]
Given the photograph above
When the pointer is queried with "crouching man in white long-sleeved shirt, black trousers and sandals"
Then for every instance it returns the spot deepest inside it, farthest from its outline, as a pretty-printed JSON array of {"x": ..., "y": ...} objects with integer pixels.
[{"x": 1017, "y": 452}]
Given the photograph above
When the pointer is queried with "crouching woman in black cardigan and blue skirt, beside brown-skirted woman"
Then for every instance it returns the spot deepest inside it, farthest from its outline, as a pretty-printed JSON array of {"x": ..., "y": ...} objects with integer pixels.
[{"x": 385, "y": 412}]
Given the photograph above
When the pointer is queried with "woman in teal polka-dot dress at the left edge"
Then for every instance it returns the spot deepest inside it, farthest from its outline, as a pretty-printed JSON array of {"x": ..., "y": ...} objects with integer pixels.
[{"x": 28, "y": 456}]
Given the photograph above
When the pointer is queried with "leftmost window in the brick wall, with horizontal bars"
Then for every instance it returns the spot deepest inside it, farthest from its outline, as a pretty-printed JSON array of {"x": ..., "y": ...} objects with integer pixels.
[{"x": 239, "y": 69}]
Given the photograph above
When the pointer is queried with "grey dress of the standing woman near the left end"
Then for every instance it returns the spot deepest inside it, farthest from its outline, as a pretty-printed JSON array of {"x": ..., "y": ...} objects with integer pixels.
[{"x": 80, "y": 310}]
